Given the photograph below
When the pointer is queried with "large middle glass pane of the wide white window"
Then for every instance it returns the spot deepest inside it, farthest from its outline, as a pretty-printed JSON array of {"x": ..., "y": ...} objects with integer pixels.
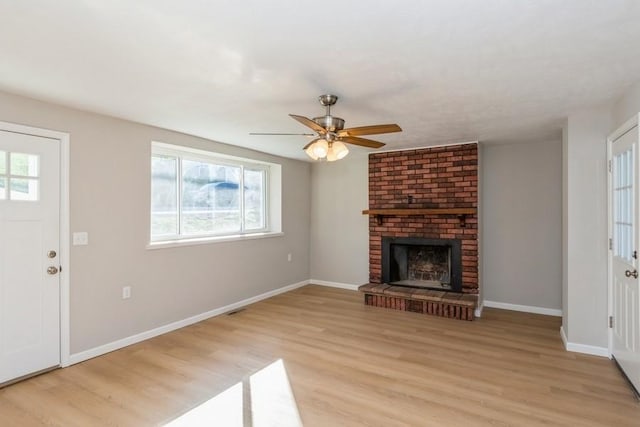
[{"x": 210, "y": 198}]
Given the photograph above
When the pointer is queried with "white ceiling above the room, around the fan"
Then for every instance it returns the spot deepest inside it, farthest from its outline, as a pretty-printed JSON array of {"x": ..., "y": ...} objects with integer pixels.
[{"x": 444, "y": 70}]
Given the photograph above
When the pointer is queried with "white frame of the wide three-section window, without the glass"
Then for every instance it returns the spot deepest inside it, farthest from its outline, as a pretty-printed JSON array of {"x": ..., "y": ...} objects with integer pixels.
[{"x": 182, "y": 153}]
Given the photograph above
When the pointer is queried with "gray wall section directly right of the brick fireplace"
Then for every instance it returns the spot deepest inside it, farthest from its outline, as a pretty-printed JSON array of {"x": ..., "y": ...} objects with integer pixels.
[{"x": 522, "y": 224}]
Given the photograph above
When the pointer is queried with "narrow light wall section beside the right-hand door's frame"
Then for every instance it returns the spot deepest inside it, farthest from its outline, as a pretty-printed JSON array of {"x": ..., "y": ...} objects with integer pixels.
[{"x": 585, "y": 317}]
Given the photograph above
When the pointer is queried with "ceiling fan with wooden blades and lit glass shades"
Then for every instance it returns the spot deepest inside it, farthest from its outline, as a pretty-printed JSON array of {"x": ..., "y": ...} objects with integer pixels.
[{"x": 331, "y": 135}]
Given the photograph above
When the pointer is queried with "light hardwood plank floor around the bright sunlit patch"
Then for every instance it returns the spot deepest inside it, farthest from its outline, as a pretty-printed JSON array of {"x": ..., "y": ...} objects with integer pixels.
[{"x": 347, "y": 364}]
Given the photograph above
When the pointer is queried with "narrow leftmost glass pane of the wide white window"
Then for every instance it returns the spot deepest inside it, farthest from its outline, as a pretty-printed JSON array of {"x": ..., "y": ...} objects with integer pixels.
[{"x": 164, "y": 196}]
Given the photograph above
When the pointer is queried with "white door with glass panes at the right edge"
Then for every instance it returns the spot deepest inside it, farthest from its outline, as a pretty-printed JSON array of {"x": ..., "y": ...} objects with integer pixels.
[{"x": 625, "y": 304}]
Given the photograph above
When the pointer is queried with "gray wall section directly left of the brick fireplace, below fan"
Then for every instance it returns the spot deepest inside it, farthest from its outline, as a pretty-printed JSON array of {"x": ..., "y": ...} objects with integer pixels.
[{"x": 339, "y": 231}]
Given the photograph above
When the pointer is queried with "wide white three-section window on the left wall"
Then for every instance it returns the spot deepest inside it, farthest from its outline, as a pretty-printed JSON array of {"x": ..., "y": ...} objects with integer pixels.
[{"x": 197, "y": 194}]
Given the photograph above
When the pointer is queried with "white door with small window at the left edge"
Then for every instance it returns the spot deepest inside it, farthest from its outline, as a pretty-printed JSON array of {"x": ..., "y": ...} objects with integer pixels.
[{"x": 29, "y": 254}]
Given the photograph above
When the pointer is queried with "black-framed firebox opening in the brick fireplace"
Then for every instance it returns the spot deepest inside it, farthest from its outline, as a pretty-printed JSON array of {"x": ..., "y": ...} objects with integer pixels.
[{"x": 422, "y": 263}]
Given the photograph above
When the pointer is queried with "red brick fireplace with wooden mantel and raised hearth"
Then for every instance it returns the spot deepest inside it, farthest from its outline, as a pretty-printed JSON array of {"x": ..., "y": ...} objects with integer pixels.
[{"x": 426, "y": 195}]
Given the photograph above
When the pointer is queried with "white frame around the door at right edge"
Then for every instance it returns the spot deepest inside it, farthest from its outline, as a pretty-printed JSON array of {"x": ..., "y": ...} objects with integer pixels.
[{"x": 624, "y": 128}]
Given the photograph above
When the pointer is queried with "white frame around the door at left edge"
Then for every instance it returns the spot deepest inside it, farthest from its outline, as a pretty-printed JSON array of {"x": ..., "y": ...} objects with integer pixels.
[{"x": 65, "y": 338}]
